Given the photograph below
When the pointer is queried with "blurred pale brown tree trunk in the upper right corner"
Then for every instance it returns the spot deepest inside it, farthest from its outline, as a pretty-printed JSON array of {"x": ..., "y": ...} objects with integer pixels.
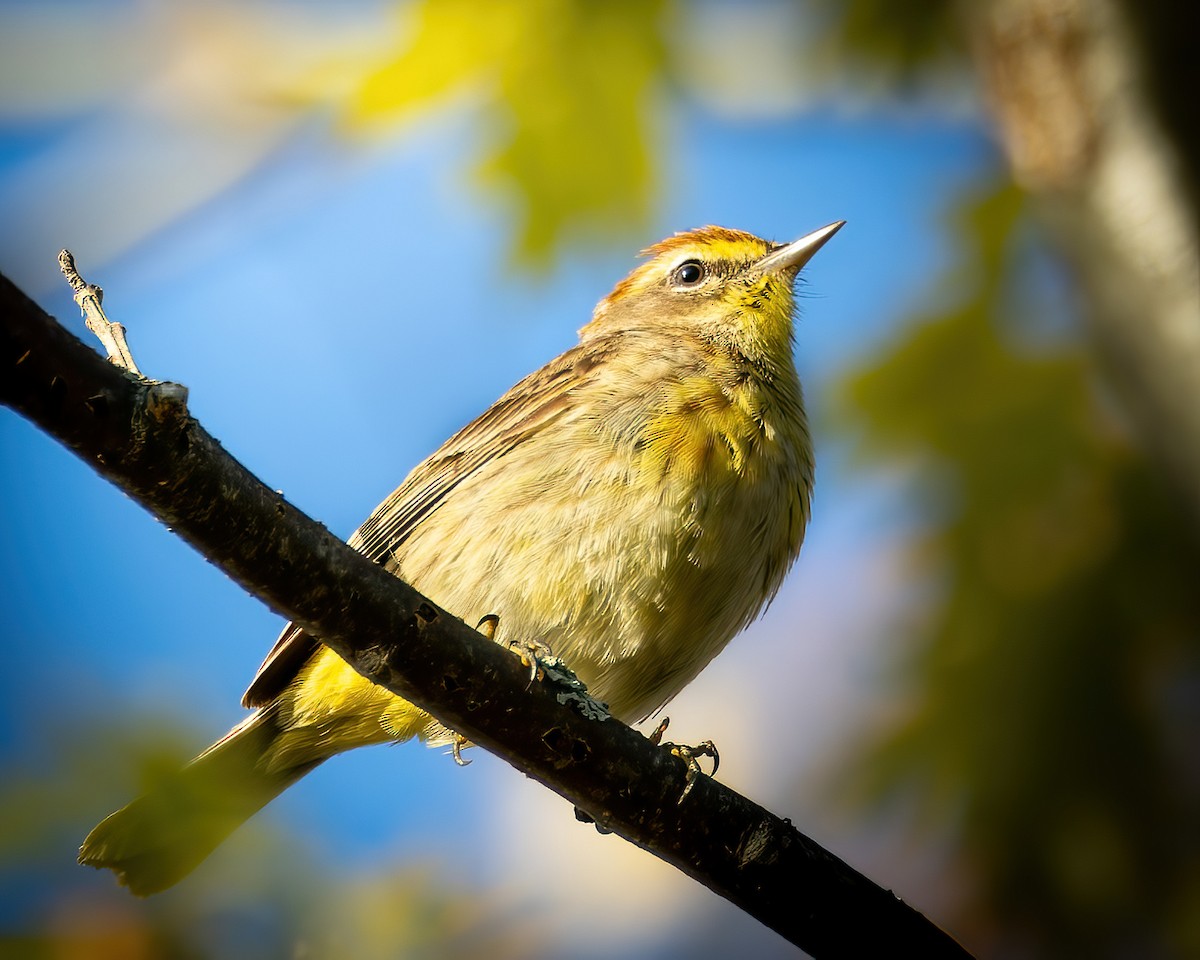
[{"x": 1090, "y": 101}]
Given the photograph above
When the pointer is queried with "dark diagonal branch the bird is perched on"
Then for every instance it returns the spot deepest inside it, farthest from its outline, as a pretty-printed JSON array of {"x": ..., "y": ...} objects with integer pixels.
[{"x": 141, "y": 437}]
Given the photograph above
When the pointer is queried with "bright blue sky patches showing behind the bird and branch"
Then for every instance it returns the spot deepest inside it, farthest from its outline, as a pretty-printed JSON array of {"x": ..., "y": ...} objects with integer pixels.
[{"x": 337, "y": 311}]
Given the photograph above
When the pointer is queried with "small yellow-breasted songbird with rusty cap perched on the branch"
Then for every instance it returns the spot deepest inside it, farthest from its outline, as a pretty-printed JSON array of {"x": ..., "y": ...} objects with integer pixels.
[{"x": 633, "y": 506}]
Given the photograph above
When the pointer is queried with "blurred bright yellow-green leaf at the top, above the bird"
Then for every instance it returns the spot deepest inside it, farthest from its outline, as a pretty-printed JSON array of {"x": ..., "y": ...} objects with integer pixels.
[{"x": 565, "y": 93}]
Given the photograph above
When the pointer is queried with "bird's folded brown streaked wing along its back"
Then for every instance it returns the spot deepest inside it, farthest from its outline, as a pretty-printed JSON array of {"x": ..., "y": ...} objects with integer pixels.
[{"x": 539, "y": 400}]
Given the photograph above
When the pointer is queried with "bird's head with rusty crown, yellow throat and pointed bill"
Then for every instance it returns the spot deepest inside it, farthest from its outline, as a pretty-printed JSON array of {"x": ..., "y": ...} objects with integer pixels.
[{"x": 725, "y": 285}]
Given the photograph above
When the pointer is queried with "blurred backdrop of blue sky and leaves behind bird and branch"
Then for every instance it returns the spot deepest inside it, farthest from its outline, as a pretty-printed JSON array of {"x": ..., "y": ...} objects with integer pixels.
[{"x": 349, "y": 227}]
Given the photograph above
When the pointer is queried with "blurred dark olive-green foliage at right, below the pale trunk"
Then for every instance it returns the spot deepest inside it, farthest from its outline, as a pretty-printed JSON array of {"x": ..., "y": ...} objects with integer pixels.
[{"x": 1065, "y": 616}]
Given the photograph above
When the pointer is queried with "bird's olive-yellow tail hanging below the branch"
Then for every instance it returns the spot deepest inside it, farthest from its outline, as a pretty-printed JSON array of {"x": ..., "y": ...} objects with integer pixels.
[{"x": 160, "y": 838}]
